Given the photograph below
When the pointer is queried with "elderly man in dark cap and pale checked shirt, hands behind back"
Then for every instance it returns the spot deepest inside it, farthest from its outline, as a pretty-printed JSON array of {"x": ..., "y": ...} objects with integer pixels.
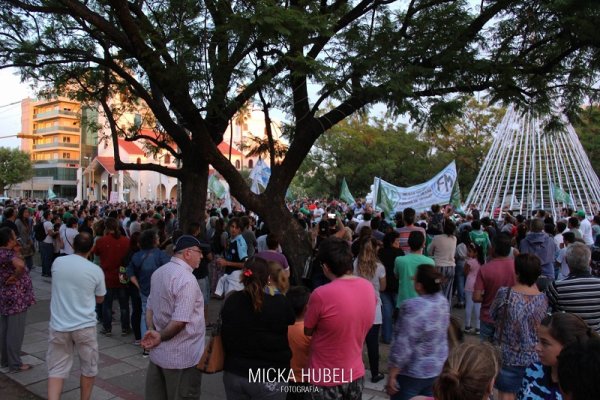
[{"x": 175, "y": 320}]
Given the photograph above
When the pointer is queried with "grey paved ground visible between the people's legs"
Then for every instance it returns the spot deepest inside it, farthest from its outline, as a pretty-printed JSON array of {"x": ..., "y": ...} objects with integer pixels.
[{"x": 122, "y": 369}]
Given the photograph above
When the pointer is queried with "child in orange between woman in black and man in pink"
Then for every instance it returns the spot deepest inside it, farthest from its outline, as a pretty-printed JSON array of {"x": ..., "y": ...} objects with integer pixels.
[{"x": 299, "y": 342}]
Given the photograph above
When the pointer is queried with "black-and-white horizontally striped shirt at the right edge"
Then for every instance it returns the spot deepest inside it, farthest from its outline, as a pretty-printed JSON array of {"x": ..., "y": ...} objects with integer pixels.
[{"x": 578, "y": 294}]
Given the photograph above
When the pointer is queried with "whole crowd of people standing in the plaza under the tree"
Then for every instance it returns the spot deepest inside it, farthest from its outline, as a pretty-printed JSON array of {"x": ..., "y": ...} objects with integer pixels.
[{"x": 528, "y": 286}]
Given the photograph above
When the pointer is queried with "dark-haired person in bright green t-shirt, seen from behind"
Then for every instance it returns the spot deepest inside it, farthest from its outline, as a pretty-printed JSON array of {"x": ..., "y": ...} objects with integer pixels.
[{"x": 405, "y": 267}]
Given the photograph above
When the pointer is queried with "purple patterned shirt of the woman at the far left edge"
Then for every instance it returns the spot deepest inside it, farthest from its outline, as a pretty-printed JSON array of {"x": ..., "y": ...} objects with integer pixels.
[{"x": 18, "y": 297}]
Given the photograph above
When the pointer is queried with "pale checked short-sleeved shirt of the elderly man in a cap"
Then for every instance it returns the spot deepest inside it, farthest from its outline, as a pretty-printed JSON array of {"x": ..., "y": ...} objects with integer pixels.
[{"x": 176, "y": 296}]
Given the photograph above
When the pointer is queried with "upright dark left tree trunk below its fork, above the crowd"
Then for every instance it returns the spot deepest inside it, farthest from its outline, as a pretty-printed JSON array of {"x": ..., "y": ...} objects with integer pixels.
[{"x": 194, "y": 186}]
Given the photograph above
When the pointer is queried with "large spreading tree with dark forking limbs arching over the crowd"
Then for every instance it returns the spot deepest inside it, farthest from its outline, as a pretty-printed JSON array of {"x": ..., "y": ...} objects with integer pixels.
[{"x": 195, "y": 63}]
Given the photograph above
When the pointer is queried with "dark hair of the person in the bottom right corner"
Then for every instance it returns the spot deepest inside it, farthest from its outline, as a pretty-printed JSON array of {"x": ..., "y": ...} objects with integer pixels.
[{"x": 579, "y": 369}]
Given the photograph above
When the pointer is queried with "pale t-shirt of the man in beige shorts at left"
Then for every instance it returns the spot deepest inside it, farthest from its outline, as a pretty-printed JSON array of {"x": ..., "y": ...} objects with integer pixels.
[{"x": 75, "y": 284}]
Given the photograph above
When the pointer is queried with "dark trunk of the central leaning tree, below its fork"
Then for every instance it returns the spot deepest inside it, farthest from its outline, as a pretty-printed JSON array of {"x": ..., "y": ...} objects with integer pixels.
[{"x": 294, "y": 239}]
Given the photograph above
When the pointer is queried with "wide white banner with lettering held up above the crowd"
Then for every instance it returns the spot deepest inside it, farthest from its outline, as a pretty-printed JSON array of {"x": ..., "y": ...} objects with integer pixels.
[{"x": 437, "y": 190}]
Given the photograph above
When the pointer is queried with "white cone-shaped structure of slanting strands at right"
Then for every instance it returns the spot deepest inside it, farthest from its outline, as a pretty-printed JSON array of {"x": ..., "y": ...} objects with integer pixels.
[{"x": 528, "y": 169}]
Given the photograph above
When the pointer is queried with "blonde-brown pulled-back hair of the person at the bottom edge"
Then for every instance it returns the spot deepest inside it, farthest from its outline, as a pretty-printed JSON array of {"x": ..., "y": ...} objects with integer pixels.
[{"x": 468, "y": 373}]
